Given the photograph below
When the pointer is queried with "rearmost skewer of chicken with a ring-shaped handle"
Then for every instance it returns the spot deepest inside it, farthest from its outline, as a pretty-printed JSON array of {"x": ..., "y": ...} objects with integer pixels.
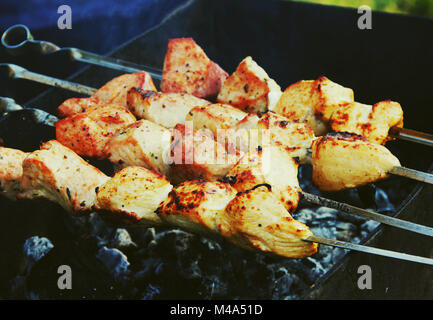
[{"x": 187, "y": 69}]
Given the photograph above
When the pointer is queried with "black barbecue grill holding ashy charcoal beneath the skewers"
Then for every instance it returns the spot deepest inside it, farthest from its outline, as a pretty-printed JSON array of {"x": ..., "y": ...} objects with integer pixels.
[{"x": 296, "y": 49}]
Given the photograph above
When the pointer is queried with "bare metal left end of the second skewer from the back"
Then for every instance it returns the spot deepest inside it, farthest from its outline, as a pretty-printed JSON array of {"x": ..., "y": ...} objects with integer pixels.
[{"x": 18, "y": 72}]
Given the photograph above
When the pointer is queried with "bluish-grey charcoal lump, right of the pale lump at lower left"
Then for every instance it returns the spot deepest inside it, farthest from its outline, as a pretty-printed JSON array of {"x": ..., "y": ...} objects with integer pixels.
[{"x": 115, "y": 261}]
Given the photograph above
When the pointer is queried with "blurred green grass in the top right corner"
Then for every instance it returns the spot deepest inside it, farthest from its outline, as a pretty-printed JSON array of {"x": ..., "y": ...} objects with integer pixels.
[{"x": 414, "y": 7}]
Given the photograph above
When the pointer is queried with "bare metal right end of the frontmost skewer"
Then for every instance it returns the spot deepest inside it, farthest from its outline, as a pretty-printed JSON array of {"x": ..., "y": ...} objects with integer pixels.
[{"x": 371, "y": 250}]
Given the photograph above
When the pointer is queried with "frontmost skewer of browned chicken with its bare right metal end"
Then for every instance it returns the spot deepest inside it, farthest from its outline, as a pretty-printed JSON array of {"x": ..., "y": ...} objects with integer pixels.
[{"x": 253, "y": 219}]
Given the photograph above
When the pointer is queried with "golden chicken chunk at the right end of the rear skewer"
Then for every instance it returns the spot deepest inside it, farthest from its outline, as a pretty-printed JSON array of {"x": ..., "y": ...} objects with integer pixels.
[{"x": 372, "y": 122}]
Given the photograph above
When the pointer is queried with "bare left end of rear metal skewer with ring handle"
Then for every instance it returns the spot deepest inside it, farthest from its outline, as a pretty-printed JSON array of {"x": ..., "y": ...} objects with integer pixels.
[{"x": 18, "y": 40}]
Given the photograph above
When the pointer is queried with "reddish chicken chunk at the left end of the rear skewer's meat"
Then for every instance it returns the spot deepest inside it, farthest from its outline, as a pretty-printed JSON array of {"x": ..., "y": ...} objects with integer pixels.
[{"x": 187, "y": 69}]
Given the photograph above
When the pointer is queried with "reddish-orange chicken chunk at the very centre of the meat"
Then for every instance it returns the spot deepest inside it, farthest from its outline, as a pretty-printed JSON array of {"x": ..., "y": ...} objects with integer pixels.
[{"x": 196, "y": 155}]
